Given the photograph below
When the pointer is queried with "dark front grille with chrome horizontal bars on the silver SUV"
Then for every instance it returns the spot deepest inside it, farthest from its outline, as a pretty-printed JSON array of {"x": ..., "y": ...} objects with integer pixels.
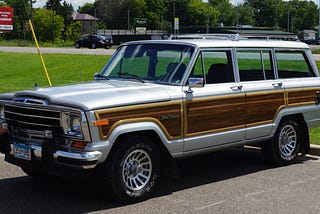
[{"x": 32, "y": 122}]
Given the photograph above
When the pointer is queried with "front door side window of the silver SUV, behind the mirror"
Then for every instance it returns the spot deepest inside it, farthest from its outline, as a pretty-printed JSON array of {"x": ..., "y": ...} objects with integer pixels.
[{"x": 216, "y": 65}]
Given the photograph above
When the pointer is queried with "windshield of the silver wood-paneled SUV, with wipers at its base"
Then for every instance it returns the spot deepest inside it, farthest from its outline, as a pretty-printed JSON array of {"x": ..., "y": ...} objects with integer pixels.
[{"x": 149, "y": 62}]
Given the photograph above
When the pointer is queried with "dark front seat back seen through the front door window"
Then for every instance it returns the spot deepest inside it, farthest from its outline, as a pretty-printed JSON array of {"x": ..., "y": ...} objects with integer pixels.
[{"x": 219, "y": 73}]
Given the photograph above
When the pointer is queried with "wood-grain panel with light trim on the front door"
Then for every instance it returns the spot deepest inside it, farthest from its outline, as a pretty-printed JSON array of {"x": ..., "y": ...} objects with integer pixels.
[{"x": 216, "y": 114}]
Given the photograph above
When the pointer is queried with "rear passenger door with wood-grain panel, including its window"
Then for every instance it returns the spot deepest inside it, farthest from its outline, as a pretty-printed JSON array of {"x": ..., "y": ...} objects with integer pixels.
[{"x": 263, "y": 91}]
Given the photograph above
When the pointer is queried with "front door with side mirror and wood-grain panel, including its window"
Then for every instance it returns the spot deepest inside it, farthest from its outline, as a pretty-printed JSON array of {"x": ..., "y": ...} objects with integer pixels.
[{"x": 214, "y": 114}]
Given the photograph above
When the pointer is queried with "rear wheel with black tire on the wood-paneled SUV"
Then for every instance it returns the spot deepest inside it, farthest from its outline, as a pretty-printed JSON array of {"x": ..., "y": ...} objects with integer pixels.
[{"x": 284, "y": 147}]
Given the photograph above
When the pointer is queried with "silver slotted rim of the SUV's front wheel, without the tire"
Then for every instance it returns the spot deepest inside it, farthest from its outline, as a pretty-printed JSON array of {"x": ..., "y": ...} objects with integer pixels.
[{"x": 137, "y": 170}]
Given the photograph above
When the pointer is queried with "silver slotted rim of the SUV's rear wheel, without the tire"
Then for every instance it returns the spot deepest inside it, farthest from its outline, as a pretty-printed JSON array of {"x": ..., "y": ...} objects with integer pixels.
[{"x": 287, "y": 141}]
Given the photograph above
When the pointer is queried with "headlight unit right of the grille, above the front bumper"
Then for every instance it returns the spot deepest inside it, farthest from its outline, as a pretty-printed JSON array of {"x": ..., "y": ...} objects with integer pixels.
[{"x": 72, "y": 123}]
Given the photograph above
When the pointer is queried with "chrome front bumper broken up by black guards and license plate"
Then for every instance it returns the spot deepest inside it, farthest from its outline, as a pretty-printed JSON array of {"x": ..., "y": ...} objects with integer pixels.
[{"x": 83, "y": 160}]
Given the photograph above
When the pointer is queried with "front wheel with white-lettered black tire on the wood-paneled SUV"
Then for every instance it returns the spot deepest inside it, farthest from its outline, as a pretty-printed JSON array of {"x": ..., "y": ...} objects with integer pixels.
[{"x": 134, "y": 171}]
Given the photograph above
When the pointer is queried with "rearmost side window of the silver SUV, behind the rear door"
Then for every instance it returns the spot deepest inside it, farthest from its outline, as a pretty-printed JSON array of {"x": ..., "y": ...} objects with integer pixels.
[{"x": 292, "y": 64}]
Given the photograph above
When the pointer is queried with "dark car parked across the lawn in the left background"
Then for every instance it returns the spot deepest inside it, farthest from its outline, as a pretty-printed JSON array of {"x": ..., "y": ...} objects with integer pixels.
[{"x": 94, "y": 41}]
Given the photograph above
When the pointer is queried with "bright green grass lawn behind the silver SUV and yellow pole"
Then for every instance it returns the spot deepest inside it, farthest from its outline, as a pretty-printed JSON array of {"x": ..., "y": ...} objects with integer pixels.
[{"x": 22, "y": 70}]
